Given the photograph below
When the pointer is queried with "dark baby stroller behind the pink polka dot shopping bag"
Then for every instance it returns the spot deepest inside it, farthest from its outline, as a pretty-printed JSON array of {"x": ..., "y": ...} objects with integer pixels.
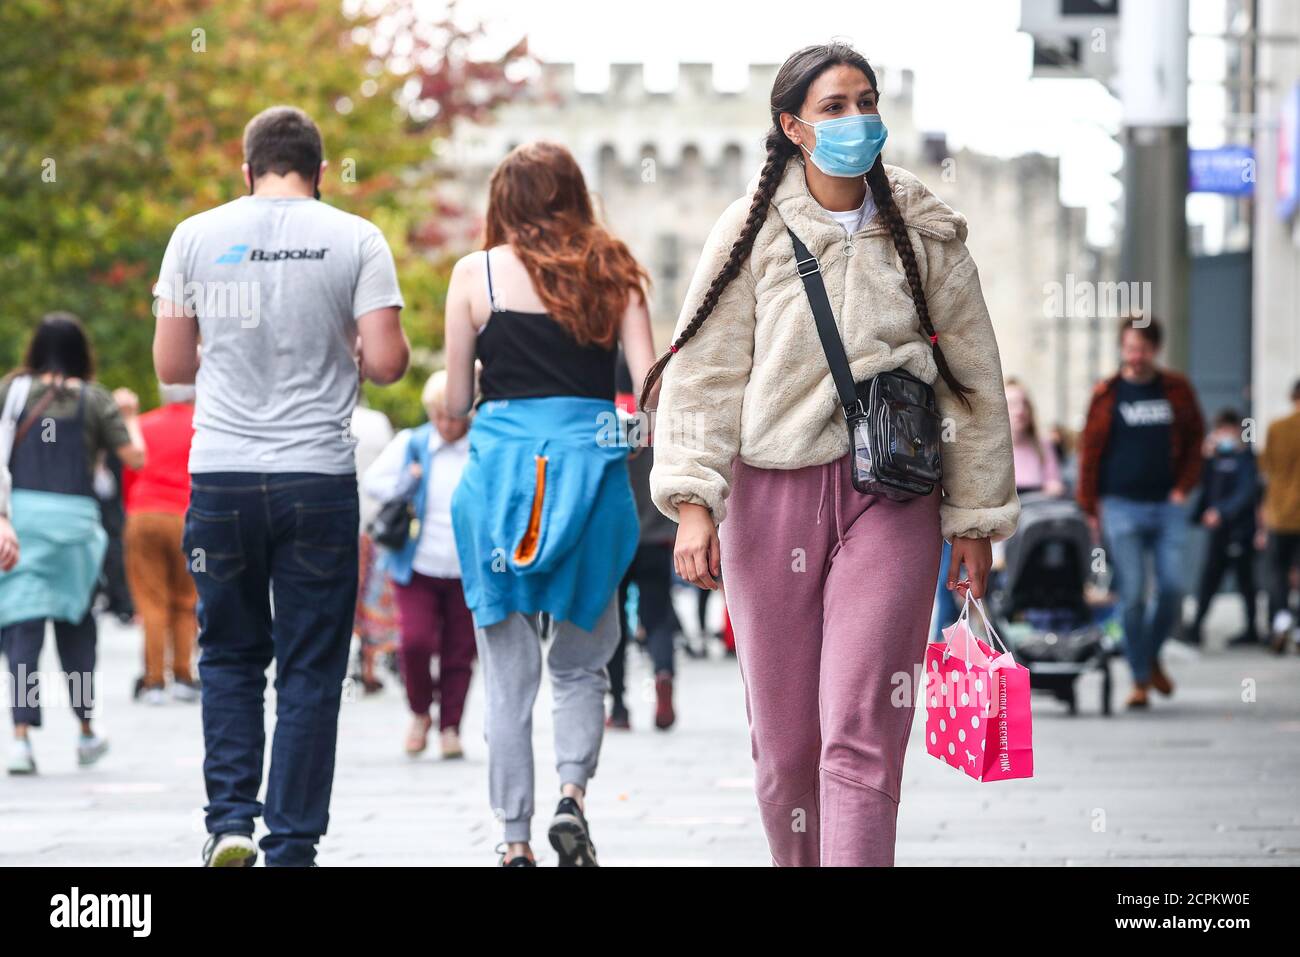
[{"x": 1042, "y": 604}]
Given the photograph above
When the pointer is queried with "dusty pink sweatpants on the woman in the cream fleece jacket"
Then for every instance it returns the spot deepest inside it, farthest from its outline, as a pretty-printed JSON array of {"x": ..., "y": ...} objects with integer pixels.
[{"x": 830, "y": 592}]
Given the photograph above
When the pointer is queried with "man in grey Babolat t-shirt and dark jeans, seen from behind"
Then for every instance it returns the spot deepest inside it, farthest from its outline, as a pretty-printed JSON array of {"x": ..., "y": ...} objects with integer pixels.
[{"x": 274, "y": 306}]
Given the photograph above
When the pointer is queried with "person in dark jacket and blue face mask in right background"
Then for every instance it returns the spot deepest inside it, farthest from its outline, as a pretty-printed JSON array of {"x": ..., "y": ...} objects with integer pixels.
[{"x": 1227, "y": 509}]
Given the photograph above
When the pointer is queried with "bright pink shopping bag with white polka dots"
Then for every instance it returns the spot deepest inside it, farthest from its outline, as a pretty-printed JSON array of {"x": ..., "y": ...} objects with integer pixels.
[{"x": 978, "y": 704}]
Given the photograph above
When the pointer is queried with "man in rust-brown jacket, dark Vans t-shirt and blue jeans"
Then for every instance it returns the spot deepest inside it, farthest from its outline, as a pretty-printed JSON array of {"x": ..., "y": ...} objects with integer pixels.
[{"x": 1139, "y": 458}]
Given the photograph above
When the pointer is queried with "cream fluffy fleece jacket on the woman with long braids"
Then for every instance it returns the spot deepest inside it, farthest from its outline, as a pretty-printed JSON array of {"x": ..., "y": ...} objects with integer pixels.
[{"x": 755, "y": 382}]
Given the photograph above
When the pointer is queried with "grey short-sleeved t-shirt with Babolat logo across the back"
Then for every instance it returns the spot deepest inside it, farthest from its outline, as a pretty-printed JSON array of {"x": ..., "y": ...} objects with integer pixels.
[{"x": 278, "y": 285}]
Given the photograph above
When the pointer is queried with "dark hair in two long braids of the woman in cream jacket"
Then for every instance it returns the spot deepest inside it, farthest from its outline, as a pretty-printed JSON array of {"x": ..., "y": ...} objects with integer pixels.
[{"x": 790, "y": 90}]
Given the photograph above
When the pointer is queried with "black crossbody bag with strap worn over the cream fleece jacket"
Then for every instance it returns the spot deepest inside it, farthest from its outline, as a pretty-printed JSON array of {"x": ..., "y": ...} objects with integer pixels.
[{"x": 894, "y": 418}]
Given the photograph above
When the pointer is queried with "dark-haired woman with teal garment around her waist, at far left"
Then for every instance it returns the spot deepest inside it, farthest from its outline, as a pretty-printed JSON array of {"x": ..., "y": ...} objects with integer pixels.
[{"x": 62, "y": 422}]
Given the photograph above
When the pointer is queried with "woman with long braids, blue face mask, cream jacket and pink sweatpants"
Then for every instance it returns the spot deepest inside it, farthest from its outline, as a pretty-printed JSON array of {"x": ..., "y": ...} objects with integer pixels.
[{"x": 830, "y": 590}]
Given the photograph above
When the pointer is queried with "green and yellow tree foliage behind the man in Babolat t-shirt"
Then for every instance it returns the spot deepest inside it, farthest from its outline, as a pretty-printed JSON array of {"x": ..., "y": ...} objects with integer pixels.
[{"x": 119, "y": 119}]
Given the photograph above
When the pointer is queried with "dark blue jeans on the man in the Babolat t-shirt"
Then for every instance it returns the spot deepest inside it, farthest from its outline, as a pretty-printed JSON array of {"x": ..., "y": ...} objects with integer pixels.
[{"x": 275, "y": 562}]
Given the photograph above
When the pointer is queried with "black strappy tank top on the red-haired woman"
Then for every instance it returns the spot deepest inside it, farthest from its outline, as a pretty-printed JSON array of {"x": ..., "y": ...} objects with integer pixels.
[{"x": 528, "y": 356}]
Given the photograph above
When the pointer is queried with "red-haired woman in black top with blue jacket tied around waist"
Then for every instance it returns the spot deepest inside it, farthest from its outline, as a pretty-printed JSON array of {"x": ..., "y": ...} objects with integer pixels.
[{"x": 544, "y": 516}]
